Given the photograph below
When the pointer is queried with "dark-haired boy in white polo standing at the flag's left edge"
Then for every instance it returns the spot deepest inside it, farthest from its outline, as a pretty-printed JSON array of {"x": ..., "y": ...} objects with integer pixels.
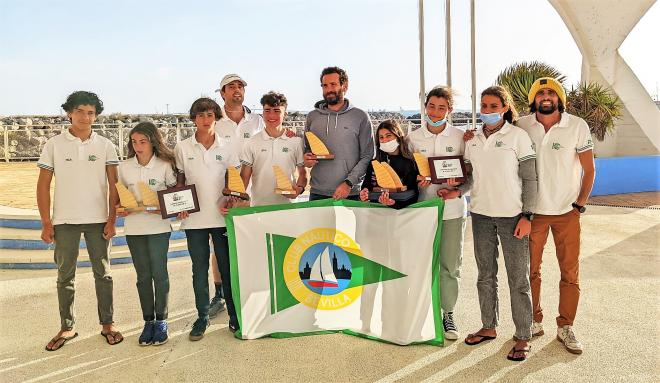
[{"x": 202, "y": 160}]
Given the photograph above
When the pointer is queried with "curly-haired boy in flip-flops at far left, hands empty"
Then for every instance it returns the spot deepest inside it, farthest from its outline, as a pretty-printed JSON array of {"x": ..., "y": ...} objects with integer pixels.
[{"x": 86, "y": 164}]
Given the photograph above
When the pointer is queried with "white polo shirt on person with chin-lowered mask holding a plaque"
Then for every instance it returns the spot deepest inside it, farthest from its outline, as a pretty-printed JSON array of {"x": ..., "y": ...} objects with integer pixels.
[{"x": 448, "y": 143}]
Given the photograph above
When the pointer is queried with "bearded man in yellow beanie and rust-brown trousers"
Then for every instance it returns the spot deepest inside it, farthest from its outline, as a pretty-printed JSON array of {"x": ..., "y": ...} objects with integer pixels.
[{"x": 565, "y": 165}]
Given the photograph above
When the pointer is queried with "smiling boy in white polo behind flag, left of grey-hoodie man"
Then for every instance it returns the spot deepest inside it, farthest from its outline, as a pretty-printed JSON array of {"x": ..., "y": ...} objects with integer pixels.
[{"x": 272, "y": 147}]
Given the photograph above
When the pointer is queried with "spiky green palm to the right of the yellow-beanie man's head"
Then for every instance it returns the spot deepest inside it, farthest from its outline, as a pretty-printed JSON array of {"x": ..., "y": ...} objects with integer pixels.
[{"x": 597, "y": 105}]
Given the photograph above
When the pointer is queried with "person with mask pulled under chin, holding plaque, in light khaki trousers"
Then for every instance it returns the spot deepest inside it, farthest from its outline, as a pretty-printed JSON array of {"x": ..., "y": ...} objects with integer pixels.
[{"x": 437, "y": 137}]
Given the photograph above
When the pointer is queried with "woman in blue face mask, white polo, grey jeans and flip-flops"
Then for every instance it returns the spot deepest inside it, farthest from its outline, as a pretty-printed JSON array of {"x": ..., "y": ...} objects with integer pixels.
[{"x": 502, "y": 159}]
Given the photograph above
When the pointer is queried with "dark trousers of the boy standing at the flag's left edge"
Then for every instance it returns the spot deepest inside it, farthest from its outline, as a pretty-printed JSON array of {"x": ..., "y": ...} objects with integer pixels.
[{"x": 198, "y": 247}]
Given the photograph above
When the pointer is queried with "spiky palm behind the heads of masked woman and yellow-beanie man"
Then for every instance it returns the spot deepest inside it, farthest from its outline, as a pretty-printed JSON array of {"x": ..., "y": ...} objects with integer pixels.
[{"x": 519, "y": 77}]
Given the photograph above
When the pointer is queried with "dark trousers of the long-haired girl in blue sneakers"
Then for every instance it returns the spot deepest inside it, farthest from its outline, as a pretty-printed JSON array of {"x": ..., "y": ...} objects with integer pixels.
[{"x": 149, "y": 253}]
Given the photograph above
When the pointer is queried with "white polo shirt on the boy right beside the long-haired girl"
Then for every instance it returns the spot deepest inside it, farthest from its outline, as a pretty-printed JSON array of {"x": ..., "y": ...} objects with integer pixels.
[{"x": 205, "y": 168}]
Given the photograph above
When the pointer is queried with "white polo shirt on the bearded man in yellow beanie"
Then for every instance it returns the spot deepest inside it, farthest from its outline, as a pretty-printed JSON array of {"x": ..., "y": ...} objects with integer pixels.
[{"x": 557, "y": 162}]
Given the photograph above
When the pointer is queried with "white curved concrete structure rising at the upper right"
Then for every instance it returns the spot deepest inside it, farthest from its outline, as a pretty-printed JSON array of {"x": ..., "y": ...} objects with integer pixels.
[{"x": 599, "y": 27}]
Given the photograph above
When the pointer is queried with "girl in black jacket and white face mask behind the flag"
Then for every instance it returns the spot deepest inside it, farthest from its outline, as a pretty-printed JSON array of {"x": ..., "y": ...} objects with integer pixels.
[{"x": 392, "y": 148}]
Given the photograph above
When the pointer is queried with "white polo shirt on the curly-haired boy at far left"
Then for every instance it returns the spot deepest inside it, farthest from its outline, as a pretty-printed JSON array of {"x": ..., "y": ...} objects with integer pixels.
[{"x": 81, "y": 183}]
